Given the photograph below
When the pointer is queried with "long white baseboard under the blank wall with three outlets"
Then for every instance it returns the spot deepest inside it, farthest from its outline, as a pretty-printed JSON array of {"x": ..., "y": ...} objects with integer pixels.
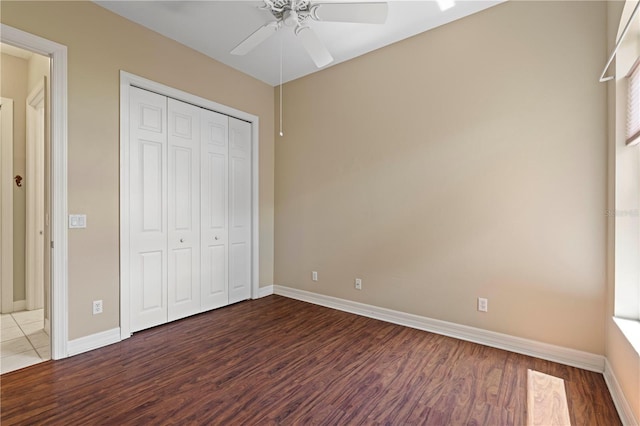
[{"x": 559, "y": 354}]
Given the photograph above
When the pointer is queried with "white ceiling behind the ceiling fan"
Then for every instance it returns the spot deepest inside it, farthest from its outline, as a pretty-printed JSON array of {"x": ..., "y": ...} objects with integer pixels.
[{"x": 216, "y": 27}]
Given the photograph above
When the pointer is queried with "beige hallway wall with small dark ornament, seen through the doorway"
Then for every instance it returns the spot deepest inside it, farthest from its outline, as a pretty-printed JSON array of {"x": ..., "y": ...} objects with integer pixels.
[{"x": 14, "y": 86}]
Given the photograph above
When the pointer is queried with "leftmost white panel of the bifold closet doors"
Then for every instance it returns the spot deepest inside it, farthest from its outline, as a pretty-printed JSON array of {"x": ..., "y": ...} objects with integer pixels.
[{"x": 148, "y": 221}]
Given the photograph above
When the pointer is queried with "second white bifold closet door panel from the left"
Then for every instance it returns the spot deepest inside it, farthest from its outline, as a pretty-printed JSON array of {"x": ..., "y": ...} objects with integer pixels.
[{"x": 184, "y": 210}]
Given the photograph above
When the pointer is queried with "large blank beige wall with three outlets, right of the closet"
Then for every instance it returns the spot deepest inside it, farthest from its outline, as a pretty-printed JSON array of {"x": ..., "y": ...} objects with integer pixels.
[{"x": 469, "y": 161}]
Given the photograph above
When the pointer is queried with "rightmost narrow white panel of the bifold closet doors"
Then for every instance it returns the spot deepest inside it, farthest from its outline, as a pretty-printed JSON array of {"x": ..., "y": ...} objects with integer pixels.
[{"x": 239, "y": 210}]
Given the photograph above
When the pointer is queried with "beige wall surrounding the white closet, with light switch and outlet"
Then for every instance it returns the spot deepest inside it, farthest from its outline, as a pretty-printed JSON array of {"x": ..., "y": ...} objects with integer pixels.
[{"x": 100, "y": 44}]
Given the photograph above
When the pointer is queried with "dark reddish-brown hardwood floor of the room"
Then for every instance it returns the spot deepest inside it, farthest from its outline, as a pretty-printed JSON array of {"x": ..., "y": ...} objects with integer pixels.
[{"x": 280, "y": 361}]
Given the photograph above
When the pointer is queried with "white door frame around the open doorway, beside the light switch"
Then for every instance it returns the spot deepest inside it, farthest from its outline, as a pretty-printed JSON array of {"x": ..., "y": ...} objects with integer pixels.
[{"x": 59, "y": 253}]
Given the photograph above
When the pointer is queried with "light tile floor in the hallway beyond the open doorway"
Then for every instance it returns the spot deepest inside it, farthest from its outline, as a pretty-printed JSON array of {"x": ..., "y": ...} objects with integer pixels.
[{"x": 23, "y": 341}]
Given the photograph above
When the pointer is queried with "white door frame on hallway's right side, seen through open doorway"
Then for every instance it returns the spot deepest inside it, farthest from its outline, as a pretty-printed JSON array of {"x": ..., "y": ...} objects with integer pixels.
[{"x": 34, "y": 241}]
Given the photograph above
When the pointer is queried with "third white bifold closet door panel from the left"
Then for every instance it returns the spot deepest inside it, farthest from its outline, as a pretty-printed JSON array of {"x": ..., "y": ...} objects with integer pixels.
[{"x": 214, "y": 208}]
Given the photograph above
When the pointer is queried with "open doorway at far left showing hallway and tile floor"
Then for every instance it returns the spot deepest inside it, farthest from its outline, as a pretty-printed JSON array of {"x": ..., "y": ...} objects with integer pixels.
[{"x": 26, "y": 275}]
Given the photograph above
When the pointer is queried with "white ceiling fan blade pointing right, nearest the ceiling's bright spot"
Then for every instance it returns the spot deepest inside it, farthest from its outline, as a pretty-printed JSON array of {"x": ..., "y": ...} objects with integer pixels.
[{"x": 362, "y": 13}]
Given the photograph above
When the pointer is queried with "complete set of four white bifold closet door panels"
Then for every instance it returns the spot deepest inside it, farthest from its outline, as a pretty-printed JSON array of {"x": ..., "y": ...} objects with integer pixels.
[{"x": 190, "y": 219}]
